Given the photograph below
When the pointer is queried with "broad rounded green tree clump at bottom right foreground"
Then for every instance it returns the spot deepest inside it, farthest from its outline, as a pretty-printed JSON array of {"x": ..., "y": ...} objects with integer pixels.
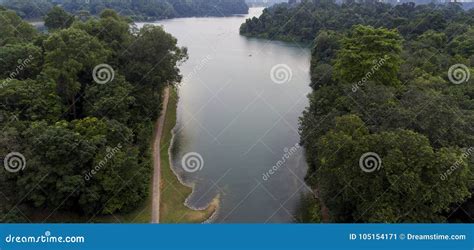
[{"x": 409, "y": 167}]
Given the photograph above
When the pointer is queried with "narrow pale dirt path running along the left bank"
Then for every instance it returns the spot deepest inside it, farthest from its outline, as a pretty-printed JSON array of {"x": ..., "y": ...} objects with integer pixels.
[{"x": 155, "y": 211}]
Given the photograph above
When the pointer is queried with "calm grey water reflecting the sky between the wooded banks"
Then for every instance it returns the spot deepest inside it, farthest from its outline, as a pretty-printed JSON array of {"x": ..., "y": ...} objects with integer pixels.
[{"x": 239, "y": 120}]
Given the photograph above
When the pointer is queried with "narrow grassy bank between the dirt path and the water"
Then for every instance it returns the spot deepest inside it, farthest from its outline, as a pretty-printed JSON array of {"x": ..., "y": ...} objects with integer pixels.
[{"x": 173, "y": 193}]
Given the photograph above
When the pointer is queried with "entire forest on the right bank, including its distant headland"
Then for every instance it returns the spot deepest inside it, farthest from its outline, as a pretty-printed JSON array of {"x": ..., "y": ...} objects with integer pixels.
[{"x": 388, "y": 133}]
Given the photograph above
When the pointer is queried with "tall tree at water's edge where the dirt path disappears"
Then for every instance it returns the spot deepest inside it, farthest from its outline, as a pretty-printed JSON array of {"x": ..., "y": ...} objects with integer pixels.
[{"x": 150, "y": 74}]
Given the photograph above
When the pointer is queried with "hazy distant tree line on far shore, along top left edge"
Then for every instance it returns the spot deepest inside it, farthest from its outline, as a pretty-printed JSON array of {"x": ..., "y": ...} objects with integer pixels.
[{"x": 137, "y": 9}]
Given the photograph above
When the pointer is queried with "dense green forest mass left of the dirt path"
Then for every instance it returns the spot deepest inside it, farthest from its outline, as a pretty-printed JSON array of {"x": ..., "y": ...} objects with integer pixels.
[{"x": 78, "y": 105}]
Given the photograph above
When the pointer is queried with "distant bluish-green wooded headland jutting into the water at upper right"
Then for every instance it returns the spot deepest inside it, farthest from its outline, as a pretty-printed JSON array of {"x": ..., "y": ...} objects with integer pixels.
[{"x": 304, "y": 21}]
